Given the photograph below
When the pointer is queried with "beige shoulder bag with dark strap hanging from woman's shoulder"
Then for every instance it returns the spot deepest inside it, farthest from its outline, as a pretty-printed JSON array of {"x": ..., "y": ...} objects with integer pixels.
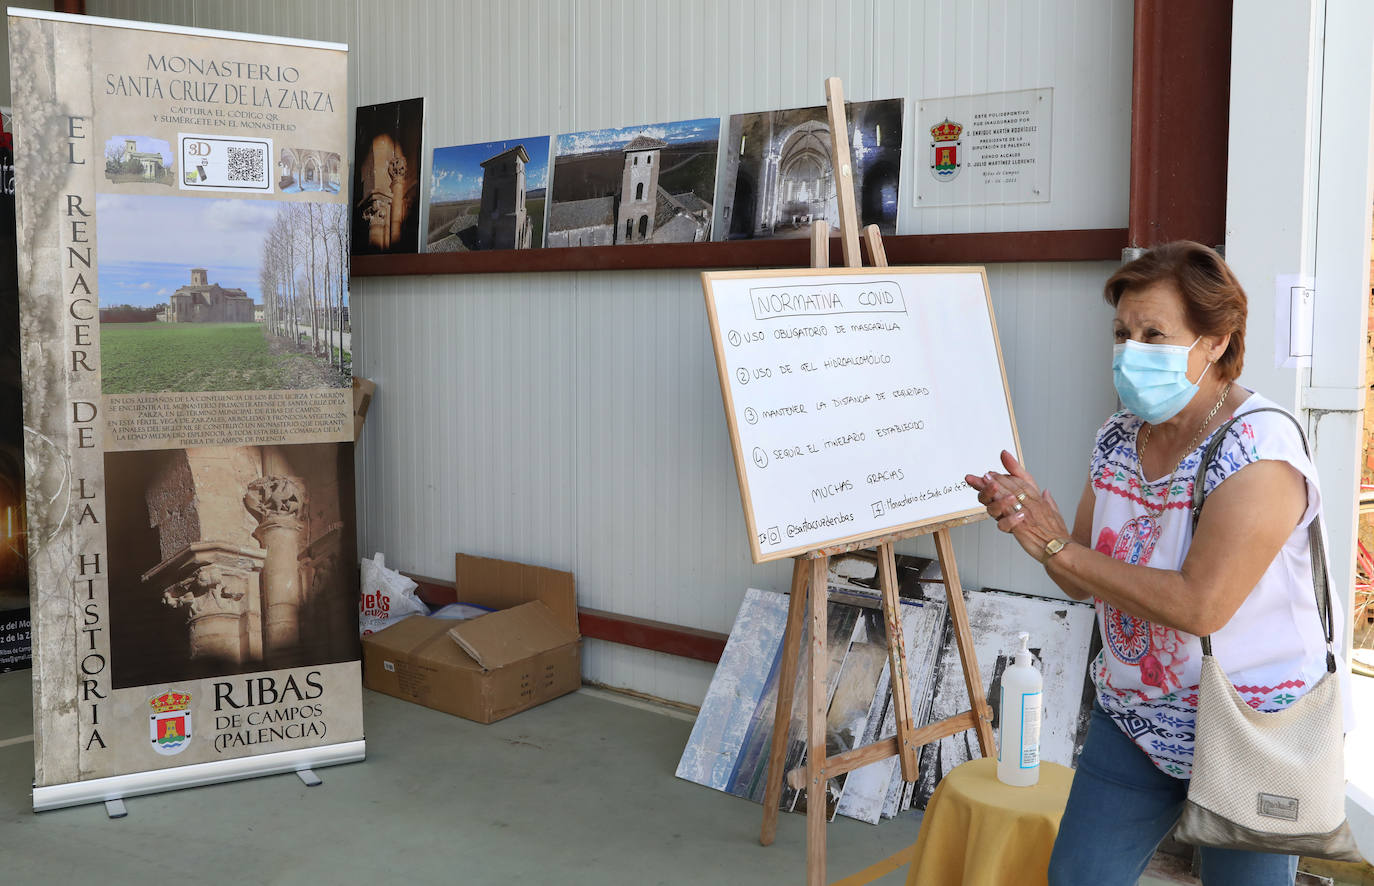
[{"x": 1269, "y": 782}]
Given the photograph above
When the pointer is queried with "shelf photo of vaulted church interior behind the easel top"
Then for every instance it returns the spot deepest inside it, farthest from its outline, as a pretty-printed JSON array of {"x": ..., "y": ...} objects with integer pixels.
[{"x": 778, "y": 177}]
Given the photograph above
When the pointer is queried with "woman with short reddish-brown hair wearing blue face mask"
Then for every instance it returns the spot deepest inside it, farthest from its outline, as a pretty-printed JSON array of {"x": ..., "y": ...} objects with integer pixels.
[{"x": 1244, "y": 578}]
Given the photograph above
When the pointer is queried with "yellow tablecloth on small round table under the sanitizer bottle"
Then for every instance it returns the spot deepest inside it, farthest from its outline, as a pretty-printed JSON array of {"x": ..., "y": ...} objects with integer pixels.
[{"x": 979, "y": 832}]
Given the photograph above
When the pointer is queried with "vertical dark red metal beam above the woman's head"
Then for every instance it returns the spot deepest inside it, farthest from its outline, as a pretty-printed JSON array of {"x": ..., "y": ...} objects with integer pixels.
[{"x": 1181, "y": 98}]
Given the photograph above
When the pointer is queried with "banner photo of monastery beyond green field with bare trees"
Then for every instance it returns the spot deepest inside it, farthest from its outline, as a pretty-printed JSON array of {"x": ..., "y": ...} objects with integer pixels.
[{"x": 222, "y": 295}]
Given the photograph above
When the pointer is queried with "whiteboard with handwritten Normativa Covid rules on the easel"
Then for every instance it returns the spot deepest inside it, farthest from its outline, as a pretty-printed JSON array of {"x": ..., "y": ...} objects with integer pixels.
[{"x": 858, "y": 399}]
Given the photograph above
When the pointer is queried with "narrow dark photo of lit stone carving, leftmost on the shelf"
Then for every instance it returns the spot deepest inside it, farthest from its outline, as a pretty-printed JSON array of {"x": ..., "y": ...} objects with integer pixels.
[{"x": 387, "y": 178}]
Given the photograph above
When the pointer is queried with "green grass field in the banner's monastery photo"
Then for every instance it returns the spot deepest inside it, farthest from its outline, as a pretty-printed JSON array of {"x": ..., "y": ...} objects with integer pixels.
[{"x": 197, "y": 358}]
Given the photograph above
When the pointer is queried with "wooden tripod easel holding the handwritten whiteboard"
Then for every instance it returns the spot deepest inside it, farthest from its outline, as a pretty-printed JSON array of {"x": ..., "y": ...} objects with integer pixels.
[{"x": 811, "y": 572}]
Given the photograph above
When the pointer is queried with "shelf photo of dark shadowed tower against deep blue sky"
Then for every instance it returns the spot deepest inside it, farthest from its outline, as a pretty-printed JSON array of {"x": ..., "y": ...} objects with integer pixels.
[{"x": 488, "y": 196}]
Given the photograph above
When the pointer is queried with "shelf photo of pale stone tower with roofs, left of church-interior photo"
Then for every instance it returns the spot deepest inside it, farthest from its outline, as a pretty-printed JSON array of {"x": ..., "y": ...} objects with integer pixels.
[{"x": 637, "y": 185}]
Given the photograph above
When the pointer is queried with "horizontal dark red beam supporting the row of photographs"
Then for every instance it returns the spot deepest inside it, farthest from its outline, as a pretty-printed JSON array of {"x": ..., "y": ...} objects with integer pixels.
[{"x": 1094, "y": 245}]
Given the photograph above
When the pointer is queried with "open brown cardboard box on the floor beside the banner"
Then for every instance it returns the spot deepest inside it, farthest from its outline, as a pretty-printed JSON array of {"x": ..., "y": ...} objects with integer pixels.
[{"x": 488, "y": 668}]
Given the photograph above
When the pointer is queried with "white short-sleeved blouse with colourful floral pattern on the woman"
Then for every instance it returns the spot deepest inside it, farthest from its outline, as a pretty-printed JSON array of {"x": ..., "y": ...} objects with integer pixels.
[{"x": 1273, "y": 649}]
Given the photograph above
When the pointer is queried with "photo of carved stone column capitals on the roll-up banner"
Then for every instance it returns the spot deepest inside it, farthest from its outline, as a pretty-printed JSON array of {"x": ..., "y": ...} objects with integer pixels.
[{"x": 230, "y": 560}]
